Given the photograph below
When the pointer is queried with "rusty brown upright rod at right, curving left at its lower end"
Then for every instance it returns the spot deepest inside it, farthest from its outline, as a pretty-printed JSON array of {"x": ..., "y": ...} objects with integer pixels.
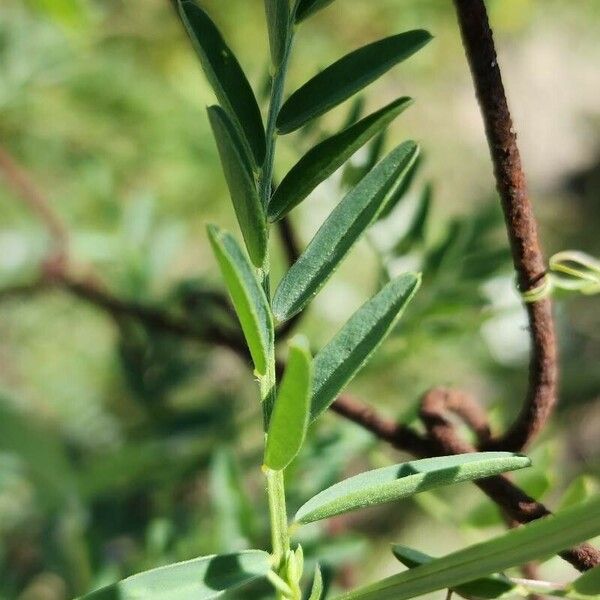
[{"x": 521, "y": 225}]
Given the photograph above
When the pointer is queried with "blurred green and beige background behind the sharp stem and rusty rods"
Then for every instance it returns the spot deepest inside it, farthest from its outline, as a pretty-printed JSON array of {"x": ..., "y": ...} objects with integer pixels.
[{"x": 123, "y": 447}]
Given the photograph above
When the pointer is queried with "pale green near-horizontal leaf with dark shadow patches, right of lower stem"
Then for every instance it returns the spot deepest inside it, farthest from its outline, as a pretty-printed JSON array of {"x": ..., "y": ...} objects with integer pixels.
[{"x": 406, "y": 479}]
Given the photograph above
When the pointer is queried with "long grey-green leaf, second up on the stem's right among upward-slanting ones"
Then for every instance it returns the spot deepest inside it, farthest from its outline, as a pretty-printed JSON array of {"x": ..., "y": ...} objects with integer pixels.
[{"x": 342, "y": 229}]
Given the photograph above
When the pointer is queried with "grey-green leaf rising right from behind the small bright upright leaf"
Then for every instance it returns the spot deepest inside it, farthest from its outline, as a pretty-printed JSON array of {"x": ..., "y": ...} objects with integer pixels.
[{"x": 343, "y": 357}]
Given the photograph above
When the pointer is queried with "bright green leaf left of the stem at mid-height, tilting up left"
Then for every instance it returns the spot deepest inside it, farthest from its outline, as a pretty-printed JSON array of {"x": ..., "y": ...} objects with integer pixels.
[{"x": 247, "y": 295}]
